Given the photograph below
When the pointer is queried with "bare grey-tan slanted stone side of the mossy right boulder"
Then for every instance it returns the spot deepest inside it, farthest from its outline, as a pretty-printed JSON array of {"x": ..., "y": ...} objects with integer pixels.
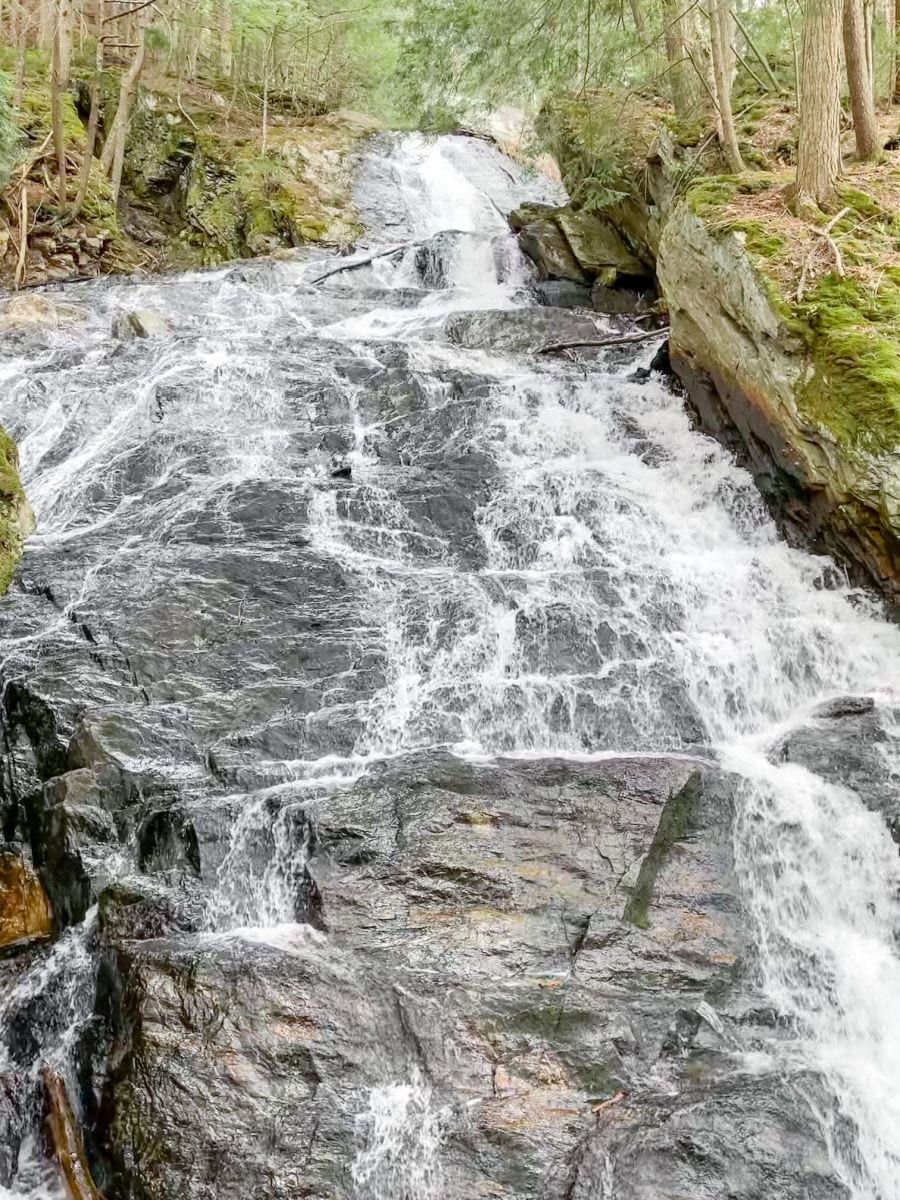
[{"x": 746, "y": 373}]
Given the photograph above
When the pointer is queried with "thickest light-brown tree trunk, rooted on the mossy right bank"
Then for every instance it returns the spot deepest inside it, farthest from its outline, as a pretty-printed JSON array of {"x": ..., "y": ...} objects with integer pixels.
[{"x": 819, "y": 153}]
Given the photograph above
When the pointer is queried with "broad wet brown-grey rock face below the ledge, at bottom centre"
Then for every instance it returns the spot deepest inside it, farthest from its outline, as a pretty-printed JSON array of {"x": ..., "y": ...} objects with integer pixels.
[{"x": 533, "y": 946}]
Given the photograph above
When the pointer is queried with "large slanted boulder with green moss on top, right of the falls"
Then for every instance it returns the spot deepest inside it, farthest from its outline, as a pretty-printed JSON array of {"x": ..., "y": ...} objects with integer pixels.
[{"x": 813, "y": 388}]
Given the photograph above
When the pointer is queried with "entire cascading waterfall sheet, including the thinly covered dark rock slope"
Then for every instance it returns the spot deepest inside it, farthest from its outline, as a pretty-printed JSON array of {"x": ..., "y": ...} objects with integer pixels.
[{"x": 331, "y": 525}]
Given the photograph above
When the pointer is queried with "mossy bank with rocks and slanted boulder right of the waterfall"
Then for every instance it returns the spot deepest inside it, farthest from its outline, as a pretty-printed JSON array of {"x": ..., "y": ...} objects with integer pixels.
[{"x": 785, "y": 333}]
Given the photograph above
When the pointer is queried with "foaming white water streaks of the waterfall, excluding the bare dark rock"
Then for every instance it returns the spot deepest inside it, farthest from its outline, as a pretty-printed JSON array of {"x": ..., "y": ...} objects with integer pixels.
[{"x": 629, "y": 593}]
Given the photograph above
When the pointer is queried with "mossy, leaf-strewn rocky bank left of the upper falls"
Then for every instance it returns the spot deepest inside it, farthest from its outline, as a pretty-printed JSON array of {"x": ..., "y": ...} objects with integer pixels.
[{"x": 205, "y": 182}]
